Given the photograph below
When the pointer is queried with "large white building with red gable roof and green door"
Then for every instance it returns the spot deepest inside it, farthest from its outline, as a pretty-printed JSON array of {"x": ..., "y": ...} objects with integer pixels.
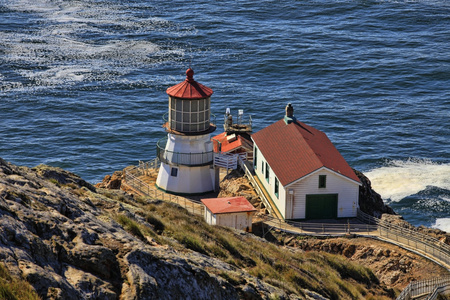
[{"x": 304, "y": 174}]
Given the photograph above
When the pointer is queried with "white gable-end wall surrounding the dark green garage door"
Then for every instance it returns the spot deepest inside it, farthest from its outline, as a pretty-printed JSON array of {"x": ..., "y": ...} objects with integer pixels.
[{"x": 348, "y": 193}]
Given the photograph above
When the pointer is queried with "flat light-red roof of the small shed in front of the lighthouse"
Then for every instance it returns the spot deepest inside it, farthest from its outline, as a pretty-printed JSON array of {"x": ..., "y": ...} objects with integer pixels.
[{"x": 228, "y": 205}]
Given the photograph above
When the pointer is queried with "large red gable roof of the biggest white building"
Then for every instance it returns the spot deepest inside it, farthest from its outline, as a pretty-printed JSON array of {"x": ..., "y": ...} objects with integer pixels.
[{"x": 295, "y": 150}]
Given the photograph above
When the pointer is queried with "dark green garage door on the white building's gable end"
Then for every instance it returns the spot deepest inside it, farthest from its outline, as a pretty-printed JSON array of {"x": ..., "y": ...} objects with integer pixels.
[{"x": 321, "y": 206}]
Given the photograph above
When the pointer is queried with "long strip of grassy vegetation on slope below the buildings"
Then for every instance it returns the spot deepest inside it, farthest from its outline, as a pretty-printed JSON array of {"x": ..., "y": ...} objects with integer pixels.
[{"x": 330, "y": 275}]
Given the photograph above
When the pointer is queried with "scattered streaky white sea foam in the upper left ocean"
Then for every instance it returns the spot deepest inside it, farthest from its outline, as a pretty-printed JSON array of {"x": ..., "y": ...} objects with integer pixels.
[{"x": 56, "y": 52}]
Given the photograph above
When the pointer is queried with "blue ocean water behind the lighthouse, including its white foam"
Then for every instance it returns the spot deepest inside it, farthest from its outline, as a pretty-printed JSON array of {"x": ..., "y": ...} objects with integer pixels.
[{"x": 82, "y": 83}]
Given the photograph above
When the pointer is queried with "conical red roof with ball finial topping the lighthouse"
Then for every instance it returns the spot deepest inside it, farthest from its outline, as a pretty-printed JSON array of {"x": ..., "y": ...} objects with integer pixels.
[{"x": 189, "y": 89}]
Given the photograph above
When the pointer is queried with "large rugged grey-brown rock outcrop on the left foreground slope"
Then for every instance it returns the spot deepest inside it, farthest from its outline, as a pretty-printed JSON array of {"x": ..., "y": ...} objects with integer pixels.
[{"x": 58, "y": 232}]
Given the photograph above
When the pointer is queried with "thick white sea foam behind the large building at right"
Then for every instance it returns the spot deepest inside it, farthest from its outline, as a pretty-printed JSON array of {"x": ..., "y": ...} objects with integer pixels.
[{"x": 399, "y": 179}]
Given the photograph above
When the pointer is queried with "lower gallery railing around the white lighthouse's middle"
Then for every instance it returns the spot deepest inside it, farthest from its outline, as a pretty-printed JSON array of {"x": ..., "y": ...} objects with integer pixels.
[{"x": 181, "y": 158}]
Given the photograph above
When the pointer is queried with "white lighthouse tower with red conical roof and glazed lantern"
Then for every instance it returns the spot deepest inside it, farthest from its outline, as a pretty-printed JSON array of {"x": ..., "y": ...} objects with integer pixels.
[{"x": 186, "y": 154}]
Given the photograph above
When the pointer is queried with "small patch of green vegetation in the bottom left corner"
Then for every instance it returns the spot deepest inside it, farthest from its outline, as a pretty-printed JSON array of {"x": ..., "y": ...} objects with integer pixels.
[{"x": 15, "y": 289}]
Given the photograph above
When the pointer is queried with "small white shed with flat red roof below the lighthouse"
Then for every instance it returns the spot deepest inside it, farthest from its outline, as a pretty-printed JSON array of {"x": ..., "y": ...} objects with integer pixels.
[{"x": 235, "y": 212}]
